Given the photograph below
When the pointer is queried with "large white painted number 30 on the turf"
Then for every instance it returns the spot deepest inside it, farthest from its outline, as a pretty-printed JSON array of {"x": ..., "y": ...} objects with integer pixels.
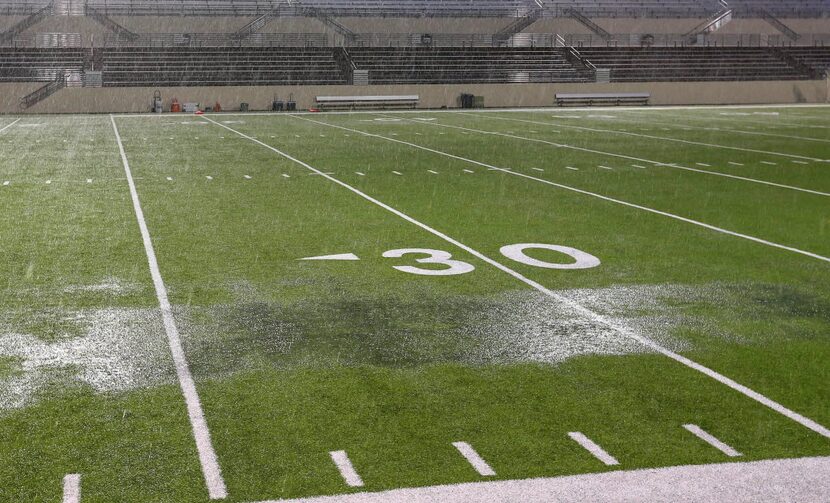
[{"x": 515, "y": 252}]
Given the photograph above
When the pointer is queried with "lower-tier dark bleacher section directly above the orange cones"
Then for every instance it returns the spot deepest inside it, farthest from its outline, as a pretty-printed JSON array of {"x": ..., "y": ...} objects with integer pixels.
[{"x": 219, "y": 66}]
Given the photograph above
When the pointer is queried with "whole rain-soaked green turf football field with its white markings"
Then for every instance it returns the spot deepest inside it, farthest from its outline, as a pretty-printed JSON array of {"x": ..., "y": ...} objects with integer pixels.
[{"x": 250, "y": 307}]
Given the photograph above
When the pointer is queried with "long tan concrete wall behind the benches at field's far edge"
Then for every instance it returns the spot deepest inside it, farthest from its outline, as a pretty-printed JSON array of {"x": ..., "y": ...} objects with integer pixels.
[{"x": 116, "y": 100}]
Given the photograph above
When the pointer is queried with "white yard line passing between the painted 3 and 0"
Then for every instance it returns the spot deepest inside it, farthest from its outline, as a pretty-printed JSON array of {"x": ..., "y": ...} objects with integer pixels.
[{"x": 579, "y": 308}]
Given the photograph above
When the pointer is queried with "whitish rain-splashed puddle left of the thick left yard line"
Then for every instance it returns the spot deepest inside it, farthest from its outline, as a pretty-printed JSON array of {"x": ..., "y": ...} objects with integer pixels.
[{"x": 107, "y": 350}]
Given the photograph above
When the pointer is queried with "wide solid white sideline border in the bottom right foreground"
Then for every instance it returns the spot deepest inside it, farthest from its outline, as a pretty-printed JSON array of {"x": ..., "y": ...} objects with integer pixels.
[{"x": 801, "y": 479}]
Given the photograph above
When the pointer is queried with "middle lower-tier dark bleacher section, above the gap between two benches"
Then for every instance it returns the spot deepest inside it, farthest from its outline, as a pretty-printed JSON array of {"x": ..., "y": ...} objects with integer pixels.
[{"x": 388, "y": 65}]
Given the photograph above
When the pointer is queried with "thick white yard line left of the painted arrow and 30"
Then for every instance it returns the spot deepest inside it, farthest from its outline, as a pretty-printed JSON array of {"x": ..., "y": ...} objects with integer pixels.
[{"x": 207, "y": 456}]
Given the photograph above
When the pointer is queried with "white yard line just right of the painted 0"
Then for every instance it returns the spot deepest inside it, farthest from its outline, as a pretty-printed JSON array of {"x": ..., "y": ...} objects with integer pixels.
[{"x": 584, "y": 192}]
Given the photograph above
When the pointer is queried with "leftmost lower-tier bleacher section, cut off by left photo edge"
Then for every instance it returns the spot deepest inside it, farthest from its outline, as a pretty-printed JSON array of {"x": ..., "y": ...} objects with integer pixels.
[{"x": 38, "y": 65}]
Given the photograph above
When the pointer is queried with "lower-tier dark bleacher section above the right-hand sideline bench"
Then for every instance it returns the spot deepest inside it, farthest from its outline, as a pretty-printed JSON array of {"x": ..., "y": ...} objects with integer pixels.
[{"x": 665, "y": 64}]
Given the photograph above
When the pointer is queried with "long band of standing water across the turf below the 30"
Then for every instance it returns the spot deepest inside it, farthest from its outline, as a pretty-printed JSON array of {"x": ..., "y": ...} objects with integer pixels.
[{"x": 122, "y": 349}]
